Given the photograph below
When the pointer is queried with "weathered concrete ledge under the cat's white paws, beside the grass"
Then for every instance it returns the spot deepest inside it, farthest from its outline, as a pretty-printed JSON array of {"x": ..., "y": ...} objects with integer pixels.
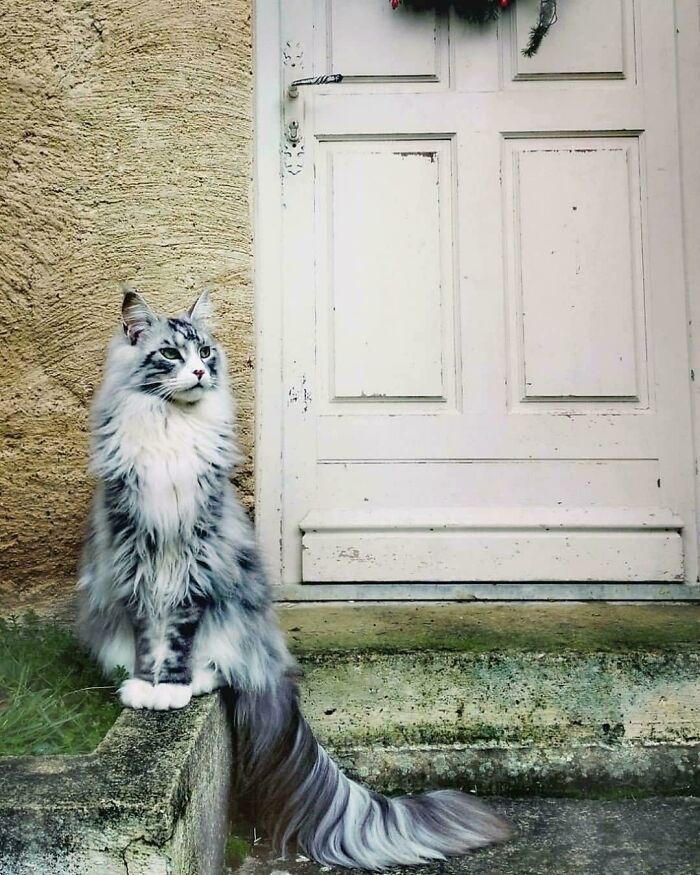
[{"x": 151, "y": 799}]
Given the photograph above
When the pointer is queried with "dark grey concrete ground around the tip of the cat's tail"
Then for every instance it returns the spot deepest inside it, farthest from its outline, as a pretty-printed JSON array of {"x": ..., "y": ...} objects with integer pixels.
[{"x": 562, "y": 837}]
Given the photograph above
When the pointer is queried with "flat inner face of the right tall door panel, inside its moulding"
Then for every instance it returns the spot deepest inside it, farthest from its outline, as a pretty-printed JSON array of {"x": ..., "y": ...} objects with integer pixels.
[{"x": 576, "y": 208}]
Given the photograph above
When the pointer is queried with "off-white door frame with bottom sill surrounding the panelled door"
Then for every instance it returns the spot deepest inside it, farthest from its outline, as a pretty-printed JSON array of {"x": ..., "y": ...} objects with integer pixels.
[{"x": 270, "y": 391}]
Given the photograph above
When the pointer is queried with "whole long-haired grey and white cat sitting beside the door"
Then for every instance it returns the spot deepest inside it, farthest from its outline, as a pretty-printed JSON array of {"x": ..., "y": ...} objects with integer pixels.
[{"x": 174, "y": 591}]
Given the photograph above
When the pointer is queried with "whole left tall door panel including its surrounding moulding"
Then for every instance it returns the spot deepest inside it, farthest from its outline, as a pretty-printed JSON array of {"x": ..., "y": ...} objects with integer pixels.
[{"x": 378, "y": 253}]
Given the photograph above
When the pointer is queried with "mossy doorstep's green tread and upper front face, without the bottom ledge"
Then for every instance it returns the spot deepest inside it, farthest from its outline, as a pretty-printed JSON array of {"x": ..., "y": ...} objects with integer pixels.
[{"x": 499, "y": 676}]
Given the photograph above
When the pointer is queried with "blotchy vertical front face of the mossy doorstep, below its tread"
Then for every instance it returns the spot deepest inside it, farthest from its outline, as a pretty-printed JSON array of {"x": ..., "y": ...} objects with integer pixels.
[{"x": 503, "y": 699}]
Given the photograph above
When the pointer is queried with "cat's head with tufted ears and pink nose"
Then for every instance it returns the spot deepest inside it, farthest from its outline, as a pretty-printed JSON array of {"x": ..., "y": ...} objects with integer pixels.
[{"x": 173, "y": 358}]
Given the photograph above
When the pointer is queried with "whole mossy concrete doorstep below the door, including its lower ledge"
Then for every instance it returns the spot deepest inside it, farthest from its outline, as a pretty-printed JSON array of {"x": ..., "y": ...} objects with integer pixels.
[{"x": 506, "y": 699}]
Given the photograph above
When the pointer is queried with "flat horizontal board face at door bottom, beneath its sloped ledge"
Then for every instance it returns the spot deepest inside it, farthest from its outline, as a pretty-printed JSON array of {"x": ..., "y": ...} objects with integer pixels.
[{"x": 462, "y": 555}]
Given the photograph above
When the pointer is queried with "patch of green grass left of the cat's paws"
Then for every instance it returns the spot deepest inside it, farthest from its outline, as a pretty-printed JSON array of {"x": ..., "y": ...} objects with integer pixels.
[{"x": 53, "y": 699}]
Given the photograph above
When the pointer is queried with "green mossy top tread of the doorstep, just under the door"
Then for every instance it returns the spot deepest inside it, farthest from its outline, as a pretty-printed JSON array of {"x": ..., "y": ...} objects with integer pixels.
[{"x": 484, "y": 627}]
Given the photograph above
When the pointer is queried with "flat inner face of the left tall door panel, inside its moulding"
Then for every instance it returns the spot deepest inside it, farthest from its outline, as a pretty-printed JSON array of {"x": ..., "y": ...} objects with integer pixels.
[{"x": 385, "y": 284}]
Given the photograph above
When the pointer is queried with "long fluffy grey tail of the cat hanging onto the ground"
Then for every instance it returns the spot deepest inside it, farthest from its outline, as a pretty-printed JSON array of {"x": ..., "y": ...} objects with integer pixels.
[{"x": 292, "y": 787}]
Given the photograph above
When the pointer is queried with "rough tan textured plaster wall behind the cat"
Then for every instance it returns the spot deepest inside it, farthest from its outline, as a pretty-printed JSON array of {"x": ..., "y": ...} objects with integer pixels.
[{"x": 125, "y": 153}]
